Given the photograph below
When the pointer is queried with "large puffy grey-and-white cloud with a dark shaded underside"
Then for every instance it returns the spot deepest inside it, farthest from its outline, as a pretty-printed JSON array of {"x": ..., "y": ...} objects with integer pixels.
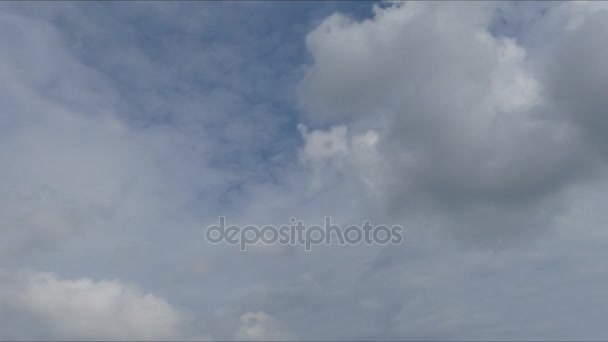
[{"x": 464, "y": 121}]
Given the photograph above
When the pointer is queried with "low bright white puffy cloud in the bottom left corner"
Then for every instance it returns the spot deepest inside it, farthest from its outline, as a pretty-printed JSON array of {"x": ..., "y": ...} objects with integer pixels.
[{"x": 87, "y": 309}]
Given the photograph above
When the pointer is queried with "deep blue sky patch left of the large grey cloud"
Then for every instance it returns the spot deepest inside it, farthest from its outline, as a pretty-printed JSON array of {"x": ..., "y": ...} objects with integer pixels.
[{"x": 221, "y": 61}]
